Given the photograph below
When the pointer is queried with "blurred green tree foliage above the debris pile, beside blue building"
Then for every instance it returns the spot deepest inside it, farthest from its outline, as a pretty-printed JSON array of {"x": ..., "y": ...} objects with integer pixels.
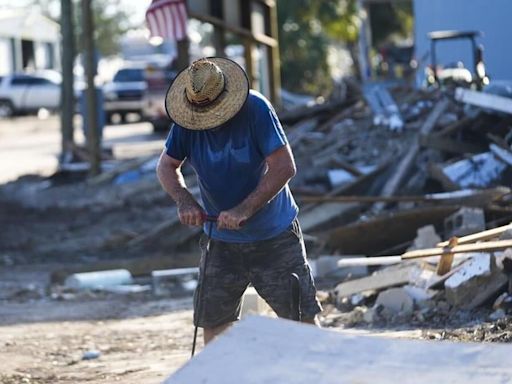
[{"x": 307, "y": 27}]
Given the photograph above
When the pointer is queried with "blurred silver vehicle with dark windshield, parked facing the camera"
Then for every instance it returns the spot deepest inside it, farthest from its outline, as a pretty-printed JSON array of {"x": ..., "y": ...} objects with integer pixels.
[{"x": 125, "y": 93}]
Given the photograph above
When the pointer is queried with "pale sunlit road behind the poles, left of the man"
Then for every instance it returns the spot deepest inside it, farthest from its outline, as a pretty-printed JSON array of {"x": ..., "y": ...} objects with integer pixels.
[{"x": 29, "y": 145}]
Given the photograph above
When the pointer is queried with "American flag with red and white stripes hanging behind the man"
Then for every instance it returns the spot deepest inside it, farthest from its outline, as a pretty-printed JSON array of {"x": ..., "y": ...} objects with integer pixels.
[{"x": 167, "y": 19}]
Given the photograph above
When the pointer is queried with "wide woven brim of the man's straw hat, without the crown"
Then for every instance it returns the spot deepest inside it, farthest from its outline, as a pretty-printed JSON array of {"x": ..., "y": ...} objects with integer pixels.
[{"x": 222, "y": 109}]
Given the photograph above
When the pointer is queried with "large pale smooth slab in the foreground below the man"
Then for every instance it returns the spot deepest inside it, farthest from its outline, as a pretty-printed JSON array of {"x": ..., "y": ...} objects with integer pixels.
[{"x": 261, "y": 350}]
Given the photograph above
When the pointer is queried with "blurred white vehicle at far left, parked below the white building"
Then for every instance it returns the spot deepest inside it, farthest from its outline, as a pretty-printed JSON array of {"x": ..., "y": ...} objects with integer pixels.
[{"x": 26, "y": 93}]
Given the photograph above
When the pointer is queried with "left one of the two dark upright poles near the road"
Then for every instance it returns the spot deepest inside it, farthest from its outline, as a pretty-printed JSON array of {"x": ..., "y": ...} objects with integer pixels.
[{"x": 67, "y": 93}]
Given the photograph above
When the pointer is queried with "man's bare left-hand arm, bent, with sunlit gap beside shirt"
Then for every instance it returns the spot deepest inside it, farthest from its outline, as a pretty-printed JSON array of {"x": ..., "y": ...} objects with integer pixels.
[{"x": 169, "y": 173}]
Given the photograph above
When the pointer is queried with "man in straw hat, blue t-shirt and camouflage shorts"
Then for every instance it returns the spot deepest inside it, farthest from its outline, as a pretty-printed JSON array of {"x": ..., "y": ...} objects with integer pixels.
[{"x": 234, "y": 141}]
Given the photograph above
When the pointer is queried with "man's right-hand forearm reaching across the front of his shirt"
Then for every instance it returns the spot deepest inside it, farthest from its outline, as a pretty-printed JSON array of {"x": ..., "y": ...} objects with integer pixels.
[{"x": 281, "y": 168}]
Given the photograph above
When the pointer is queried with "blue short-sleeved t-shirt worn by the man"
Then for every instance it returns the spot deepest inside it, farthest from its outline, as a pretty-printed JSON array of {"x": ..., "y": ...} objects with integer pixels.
[{"x": 230, "y": 160}]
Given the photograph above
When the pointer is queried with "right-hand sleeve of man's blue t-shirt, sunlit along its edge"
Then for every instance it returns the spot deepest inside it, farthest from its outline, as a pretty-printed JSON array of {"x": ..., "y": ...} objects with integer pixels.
[{"x": 267, "y": 128}]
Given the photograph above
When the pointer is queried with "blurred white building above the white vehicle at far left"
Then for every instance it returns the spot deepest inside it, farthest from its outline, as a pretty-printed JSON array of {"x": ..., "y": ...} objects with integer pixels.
[{"x": 28, "y": 41}]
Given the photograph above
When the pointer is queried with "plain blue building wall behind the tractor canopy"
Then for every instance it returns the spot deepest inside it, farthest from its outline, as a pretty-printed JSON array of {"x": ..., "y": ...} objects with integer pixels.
[{"x": 492, "y": 17}]
